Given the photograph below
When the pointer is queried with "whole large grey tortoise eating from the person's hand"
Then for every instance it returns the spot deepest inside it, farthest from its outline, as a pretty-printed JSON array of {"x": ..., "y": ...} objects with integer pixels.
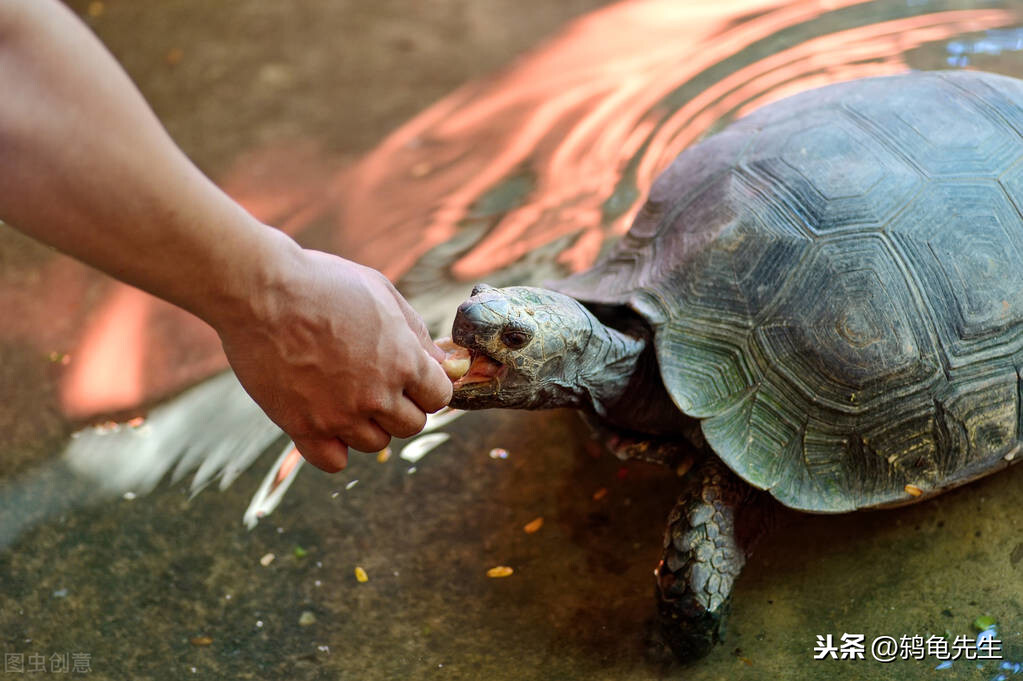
[{"x": 821, "y": 305}]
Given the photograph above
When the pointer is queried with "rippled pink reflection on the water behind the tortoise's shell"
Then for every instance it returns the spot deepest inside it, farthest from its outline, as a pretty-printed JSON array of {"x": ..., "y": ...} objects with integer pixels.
[{"x": 577, "y": 112}]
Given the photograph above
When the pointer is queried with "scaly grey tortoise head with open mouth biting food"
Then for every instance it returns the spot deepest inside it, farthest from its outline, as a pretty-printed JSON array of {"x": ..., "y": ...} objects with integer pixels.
[{"x": 532, "y": 349}]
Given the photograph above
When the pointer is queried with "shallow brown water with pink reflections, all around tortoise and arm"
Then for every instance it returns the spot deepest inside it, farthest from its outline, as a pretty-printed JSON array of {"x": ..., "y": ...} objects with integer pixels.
[{"x": 520, "y": 176}]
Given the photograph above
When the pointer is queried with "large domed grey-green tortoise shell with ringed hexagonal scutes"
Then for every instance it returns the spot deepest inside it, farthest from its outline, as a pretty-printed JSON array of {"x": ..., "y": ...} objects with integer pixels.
[{"x": 835, "y": 288}]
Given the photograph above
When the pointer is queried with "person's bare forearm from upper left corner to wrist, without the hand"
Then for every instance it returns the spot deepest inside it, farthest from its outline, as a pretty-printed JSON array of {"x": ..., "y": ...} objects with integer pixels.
[{"x": 86, "y": 167}]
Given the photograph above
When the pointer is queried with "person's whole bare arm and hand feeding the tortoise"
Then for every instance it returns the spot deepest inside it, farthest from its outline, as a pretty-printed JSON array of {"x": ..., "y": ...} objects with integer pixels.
[{"x": 328, "y": 348}]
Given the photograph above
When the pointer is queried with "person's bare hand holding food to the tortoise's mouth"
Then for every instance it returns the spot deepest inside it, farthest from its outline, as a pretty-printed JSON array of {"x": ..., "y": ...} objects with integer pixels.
[{"x": 336, "y": 357}]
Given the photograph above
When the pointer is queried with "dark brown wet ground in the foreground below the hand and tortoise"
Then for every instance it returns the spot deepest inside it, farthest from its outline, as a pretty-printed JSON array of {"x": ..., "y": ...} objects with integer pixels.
[{"x": 135, "y": 582}]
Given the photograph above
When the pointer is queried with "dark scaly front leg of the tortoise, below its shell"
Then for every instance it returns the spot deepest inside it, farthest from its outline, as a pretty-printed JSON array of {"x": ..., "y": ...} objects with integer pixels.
[{"x": 711, "y": 532}]
